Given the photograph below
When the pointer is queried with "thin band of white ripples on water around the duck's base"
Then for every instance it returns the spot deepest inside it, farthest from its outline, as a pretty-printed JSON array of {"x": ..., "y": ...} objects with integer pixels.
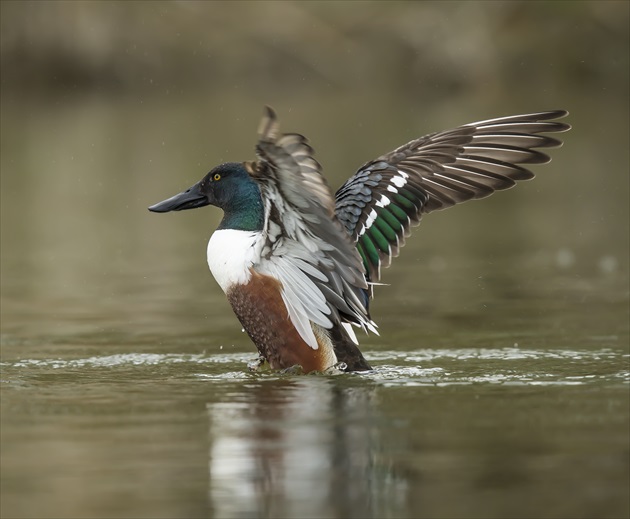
[{"x": 427, "y": 367}]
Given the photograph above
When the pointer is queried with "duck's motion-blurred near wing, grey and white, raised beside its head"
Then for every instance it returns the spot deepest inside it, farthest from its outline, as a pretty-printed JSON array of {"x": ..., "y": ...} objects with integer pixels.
[{"x": 306, "y": 248}]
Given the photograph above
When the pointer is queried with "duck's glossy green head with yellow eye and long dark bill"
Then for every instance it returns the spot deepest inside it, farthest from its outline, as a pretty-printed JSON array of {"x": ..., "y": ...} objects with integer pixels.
[{"x": 228, "y": 186}]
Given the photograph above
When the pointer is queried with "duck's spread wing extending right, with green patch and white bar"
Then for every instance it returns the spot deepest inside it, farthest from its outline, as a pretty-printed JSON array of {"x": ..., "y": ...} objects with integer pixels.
[{"x": 380, "y": 203}]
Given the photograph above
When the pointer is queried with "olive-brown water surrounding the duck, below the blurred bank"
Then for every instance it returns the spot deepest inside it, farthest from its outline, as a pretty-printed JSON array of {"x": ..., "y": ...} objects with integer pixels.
[{"x": 501, "y": 380}]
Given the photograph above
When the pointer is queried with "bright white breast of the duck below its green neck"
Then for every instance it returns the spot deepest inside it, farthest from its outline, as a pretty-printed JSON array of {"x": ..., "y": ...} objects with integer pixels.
[{"x": 231, "y": 253}]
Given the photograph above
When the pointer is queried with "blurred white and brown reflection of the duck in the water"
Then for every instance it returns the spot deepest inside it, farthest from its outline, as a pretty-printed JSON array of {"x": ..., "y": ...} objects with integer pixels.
[{"x": 304, "y": 447}]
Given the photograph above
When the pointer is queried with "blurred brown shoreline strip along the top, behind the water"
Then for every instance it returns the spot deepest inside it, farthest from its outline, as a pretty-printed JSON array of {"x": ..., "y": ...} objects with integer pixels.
[{"x": 57, "y": 47}]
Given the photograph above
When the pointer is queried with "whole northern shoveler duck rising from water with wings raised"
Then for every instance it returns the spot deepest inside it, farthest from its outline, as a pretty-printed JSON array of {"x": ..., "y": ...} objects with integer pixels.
[{"x": 297, "y": 263}]
